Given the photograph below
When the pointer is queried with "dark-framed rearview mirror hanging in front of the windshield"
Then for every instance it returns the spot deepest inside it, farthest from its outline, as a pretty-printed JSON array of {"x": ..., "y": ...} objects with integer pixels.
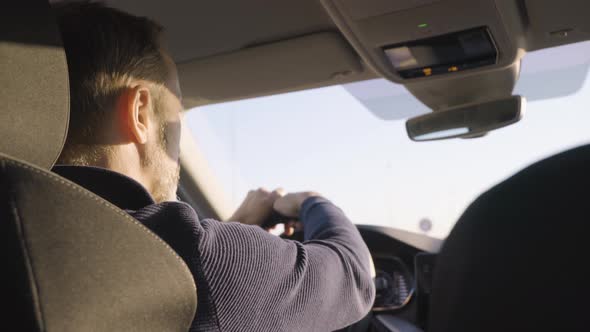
[{"x": 467, "y": 121}]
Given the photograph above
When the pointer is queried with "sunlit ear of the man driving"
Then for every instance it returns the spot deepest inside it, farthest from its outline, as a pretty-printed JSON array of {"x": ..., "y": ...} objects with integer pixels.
[{"x": 135, "y": 107}]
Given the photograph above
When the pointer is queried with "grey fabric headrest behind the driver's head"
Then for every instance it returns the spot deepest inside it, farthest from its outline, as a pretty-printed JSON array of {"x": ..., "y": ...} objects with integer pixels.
[{"x": 34, "y": 88}]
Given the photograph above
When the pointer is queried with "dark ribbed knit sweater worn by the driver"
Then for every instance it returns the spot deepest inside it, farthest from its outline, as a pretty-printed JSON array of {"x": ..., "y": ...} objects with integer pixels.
[{"x": 246, "y": 278}]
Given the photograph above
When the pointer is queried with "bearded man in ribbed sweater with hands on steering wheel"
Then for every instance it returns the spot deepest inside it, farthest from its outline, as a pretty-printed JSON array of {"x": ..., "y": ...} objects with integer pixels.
[{"x": 123, "y": 144}]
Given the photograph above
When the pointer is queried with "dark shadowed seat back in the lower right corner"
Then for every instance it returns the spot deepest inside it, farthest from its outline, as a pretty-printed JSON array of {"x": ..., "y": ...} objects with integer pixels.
[{"x": 515, "y": 261}]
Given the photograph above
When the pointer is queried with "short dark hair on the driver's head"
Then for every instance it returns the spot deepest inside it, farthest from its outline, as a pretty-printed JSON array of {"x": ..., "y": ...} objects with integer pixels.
[{"x": 104, "y": 48}]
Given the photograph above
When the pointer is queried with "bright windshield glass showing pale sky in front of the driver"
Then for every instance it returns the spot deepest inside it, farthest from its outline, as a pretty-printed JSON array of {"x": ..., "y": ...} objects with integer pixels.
[{"x": 349, "y": 143}]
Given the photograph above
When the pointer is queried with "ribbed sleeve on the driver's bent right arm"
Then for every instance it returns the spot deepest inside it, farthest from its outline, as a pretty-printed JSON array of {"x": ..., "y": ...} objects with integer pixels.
[{"x": 260, "y": 282}]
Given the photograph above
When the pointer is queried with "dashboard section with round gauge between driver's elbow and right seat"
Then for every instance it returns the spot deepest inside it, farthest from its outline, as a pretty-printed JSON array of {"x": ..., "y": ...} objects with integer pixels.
[{"x": 404, "y": 263}]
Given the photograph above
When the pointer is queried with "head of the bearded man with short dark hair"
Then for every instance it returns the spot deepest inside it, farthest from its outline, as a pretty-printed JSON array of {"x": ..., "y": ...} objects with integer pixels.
[{"x": 125, "y": 97}]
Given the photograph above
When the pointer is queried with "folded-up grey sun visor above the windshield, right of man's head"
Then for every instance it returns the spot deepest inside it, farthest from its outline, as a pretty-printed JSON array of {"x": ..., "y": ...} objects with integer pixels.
[{"x": 317, "y": 59}]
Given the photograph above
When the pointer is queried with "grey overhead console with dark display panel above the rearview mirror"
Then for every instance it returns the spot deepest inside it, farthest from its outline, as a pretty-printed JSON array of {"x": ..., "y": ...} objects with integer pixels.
[{"x": 412, "y": 40}]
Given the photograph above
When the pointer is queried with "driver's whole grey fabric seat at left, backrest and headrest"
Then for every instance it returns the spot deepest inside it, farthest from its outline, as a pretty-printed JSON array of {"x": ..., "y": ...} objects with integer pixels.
[{"x": 72, "y": 261}]
